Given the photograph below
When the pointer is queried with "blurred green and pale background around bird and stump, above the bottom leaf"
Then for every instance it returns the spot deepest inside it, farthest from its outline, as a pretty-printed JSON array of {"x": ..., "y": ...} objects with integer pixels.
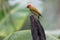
[{"x": 14, "y": 16}]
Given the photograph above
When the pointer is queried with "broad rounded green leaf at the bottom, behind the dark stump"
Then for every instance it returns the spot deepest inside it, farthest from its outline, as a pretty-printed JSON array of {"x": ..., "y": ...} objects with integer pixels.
[{"x": 26, "y": 35}]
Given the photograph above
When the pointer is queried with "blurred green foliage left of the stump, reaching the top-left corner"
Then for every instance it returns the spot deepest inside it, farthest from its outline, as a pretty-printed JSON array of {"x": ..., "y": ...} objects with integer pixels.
[{"x": 10, "y": 18}]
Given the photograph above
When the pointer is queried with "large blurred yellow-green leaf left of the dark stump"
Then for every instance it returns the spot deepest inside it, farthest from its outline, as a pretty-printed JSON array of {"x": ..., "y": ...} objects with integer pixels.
[{"x": 12, "y": 21}]
